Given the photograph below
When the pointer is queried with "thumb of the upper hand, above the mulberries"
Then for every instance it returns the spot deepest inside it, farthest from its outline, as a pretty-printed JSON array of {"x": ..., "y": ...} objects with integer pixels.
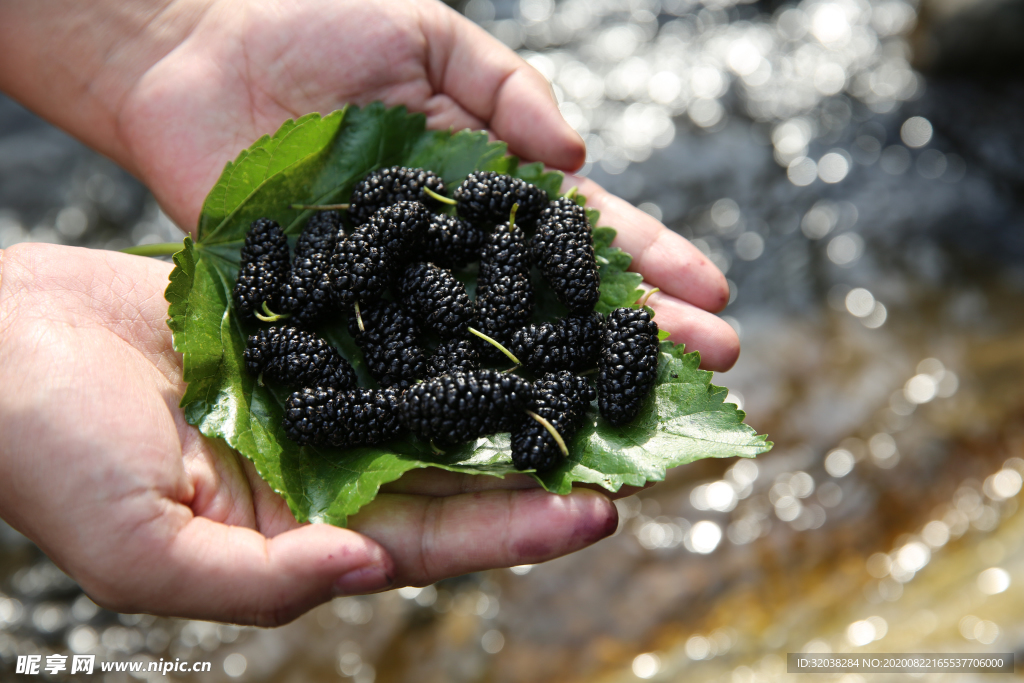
[{"x": 497, "y": 87}]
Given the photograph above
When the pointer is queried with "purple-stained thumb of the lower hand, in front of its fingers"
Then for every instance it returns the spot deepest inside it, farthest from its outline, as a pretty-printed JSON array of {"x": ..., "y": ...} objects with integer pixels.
[{"x": 209, "y": 571}]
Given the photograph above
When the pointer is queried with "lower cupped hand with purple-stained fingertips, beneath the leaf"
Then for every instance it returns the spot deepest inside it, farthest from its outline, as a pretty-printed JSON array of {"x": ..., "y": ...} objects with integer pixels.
[{"x": 100, "y": 468}]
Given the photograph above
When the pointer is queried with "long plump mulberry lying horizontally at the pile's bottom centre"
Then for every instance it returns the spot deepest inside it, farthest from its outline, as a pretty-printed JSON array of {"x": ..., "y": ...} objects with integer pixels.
[{"x": 454, "y": 409}]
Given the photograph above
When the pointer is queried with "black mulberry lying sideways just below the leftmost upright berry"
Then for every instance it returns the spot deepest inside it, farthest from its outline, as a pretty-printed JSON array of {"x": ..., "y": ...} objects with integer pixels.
[{"x": 296, "y": 358}]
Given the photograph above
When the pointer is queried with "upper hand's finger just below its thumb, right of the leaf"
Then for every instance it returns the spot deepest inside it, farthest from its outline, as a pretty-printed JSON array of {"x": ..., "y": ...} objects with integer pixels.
[{"x": 667, "y": 261}]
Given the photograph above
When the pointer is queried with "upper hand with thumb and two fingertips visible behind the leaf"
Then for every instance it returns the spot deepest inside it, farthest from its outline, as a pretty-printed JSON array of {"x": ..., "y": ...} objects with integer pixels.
[{"x": 175, "y": 91}]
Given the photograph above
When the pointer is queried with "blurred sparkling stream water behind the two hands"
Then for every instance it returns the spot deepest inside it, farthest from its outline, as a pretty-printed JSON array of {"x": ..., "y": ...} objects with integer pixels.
[{"x": 856, "y": 167}]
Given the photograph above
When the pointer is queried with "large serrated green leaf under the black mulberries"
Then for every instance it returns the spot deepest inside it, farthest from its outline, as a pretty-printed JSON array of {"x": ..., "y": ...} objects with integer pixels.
[{"x": 319, "y": 160}]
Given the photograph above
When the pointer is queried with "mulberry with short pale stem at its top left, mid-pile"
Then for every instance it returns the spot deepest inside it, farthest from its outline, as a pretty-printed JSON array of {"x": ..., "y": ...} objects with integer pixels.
[{"x": 391, "y": 344}]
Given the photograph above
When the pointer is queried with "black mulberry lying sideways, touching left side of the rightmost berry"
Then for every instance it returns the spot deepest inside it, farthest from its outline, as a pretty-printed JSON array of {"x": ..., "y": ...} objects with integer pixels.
[{"x": 572, "y": 344}]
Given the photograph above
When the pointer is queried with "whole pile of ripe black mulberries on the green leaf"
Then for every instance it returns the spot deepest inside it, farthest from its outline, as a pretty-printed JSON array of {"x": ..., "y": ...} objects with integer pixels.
[{"x": 393, "y": 270}]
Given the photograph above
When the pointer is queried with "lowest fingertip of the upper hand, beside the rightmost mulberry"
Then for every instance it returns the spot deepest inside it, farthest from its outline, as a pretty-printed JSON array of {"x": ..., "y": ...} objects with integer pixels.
[{"x": 699, "y": 330}]
